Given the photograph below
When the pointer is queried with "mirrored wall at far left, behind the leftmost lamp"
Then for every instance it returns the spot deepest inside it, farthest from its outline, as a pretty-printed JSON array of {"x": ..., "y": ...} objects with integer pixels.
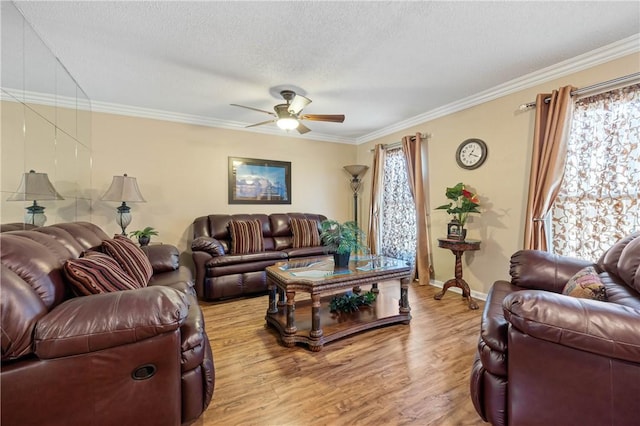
[{"x": 46, "y": 125}]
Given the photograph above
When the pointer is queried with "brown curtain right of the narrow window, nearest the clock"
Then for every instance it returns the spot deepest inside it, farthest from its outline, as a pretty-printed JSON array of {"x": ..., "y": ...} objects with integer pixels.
[{"x": 412, "y": 149}]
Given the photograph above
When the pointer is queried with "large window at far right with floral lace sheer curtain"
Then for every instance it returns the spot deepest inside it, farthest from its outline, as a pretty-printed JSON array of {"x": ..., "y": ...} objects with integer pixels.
[{"x": 599, "y": 199}]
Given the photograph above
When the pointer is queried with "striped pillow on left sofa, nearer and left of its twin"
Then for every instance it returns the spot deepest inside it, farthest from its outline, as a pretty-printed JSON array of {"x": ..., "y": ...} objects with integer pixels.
[{"x": 97, "y": 273}]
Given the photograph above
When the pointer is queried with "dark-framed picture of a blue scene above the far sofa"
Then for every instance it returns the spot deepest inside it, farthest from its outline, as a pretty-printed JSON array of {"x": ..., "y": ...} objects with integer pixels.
[{"x": 257, "y": 181}]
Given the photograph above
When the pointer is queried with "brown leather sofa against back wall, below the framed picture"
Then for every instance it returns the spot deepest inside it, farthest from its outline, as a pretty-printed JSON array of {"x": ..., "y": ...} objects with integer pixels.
[{"x": 221, "y": 275}]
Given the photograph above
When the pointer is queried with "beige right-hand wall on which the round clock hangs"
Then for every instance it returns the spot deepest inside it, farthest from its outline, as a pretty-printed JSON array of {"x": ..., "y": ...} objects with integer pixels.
[{"x": 501, "y": 182}]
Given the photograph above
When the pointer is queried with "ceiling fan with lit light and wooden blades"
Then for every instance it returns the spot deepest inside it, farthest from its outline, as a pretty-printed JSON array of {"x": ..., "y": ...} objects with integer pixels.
[{"x": 288, "y": 116}]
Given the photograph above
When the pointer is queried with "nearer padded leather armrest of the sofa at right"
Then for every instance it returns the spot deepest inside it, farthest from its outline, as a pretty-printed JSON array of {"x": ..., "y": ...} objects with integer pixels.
[{"x": 602, "y": 328}]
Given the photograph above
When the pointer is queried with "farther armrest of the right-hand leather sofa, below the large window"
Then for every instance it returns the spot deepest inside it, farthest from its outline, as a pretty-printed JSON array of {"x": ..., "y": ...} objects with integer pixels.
[{"x": 541, "y": 270}]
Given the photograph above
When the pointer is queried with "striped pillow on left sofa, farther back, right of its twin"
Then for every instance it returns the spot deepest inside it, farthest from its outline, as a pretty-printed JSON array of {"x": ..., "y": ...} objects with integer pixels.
[{"x": 130, "y": 257}]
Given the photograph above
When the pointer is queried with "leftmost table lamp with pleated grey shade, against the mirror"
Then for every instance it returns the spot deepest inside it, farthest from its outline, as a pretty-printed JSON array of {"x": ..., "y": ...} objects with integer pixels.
[{"x": 35, "y": 186}]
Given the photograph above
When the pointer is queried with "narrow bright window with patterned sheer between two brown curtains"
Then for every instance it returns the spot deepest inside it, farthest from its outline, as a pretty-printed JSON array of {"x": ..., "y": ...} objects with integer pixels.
[{"x": 398, "y": 210}]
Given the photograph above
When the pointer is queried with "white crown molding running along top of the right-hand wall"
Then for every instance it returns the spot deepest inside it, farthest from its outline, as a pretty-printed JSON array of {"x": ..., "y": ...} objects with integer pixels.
[{"x": 598, "y": 56}]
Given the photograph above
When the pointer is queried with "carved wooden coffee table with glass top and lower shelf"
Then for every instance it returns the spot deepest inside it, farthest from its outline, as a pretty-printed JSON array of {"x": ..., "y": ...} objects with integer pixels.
[{"x": 310, "y": 321}]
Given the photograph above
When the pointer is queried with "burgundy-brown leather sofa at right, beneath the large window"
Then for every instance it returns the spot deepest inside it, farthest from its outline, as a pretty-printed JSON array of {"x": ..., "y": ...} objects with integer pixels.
[{"x": 545, "y": 358}]
